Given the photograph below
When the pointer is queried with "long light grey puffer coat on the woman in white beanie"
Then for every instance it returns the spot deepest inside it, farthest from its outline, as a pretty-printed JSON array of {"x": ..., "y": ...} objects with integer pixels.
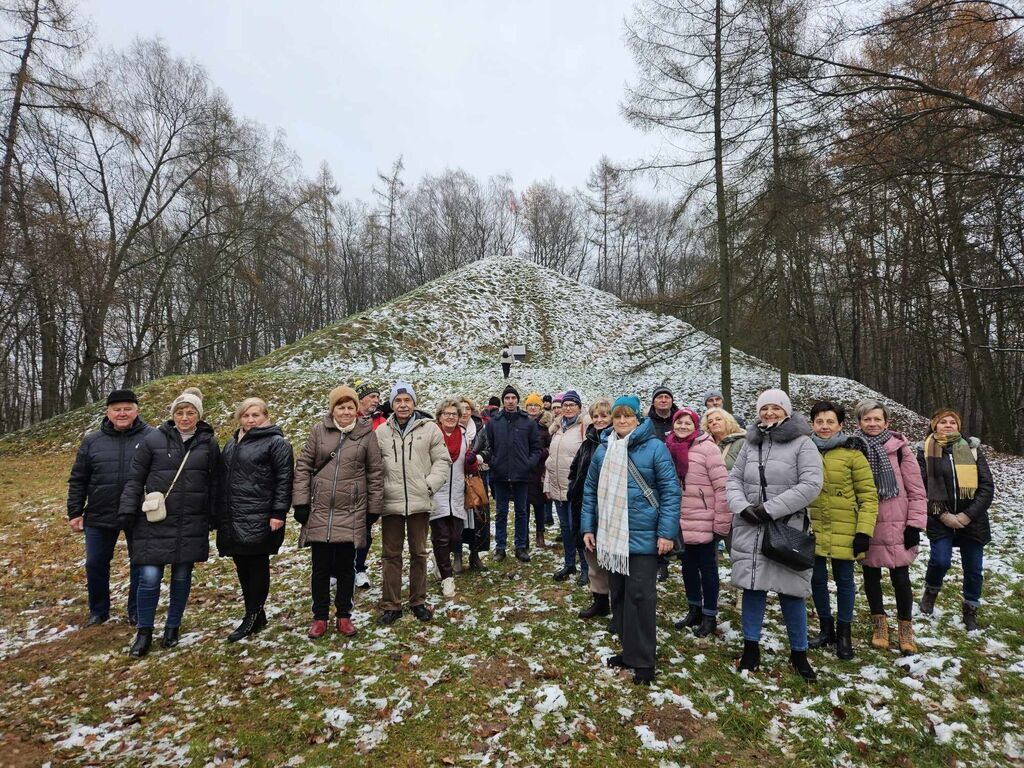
[{"x": 793, "y": 477}]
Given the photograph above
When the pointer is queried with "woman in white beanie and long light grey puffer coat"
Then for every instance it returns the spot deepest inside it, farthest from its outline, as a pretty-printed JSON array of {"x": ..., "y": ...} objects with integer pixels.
[{"x": 777, "y": 476}]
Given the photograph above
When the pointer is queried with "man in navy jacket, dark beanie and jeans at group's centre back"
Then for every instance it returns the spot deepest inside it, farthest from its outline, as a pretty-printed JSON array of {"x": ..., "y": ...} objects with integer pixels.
[{"x": 510, "y": 444}]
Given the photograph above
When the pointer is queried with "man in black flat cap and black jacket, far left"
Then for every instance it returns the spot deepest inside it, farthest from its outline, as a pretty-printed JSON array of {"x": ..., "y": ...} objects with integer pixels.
[{"x": 95, "y": 488}]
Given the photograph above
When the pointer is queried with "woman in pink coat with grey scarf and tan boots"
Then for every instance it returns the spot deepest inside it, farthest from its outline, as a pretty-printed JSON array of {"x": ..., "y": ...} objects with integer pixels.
[{"x": 903, "y": 516}]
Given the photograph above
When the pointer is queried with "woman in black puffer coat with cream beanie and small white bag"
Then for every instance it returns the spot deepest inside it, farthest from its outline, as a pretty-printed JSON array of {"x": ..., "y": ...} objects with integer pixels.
[{"x": 183, "y": 539}]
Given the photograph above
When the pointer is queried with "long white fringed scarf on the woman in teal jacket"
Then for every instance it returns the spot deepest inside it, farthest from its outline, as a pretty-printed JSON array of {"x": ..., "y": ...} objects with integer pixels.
[{"x": 614, "y": 507}]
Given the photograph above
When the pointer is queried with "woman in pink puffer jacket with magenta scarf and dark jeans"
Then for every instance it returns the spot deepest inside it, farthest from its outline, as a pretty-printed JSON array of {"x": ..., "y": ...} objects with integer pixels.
[{"x": 704, "y": 516}]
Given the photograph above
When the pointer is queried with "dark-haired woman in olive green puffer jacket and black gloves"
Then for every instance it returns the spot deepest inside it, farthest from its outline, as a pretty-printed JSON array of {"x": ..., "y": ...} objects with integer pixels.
[{"x": 843, "y": 521}]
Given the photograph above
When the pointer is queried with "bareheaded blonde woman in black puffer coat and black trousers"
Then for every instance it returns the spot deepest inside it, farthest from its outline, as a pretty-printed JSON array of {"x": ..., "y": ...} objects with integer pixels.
[{"x": 255, "y": 496}]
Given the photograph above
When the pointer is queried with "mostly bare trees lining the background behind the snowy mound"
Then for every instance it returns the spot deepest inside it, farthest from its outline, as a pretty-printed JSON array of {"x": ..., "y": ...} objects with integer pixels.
[{"x": 854, "y": 190}]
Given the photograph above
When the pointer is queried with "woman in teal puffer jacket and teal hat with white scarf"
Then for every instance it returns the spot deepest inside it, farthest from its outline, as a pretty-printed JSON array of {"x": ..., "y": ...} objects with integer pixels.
[{"x": 630, "y": 517}]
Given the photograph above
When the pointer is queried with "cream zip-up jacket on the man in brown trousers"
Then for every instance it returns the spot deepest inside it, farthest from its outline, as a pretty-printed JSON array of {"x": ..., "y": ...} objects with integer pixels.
[{"x": 416, "y": 465}]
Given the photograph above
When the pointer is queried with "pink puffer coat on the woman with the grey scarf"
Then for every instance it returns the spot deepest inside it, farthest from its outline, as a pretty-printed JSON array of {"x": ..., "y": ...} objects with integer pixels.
[{"x": 908, "y": 510}]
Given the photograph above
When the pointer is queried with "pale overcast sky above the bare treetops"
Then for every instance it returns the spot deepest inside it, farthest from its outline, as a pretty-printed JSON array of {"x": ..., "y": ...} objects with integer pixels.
[{"x": 531, "y": 89}]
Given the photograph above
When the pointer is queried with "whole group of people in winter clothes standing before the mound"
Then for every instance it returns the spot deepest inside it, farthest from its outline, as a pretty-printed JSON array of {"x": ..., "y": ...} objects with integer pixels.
[{"x": 631, "y": 491}]
